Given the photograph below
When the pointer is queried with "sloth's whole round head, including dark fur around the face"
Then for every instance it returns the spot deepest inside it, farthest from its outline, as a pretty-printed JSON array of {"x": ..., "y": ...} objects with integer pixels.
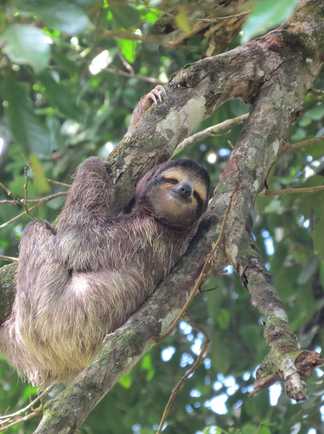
[{"x": 175, "y": 193}]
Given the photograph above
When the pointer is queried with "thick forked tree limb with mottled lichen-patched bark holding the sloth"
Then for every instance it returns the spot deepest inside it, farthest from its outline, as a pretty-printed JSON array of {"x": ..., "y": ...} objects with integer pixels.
[{"x": 274, "y": 73}]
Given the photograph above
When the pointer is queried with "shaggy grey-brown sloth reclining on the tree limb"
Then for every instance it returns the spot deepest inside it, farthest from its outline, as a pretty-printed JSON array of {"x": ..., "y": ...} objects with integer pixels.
[{"x": 85, "y": 277}]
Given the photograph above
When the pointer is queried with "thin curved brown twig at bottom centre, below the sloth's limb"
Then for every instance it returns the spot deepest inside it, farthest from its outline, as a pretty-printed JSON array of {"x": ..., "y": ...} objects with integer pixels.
[{"x": 182, "y": 380}]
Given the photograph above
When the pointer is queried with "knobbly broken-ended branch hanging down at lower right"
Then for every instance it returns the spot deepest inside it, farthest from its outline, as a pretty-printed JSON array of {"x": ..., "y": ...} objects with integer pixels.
[{"x": 281, "y": 362}]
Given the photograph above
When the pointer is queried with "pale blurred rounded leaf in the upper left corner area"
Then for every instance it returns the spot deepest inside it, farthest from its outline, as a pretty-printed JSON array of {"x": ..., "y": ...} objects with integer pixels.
[{"x": 26, "y": 44}]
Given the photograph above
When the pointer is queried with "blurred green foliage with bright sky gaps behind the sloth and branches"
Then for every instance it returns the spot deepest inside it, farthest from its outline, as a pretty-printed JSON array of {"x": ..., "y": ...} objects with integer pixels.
[{"x": 62, "y": 101}]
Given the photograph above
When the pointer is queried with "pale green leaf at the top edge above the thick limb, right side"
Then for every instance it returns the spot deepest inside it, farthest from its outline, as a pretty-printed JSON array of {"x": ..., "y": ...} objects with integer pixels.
[{"x": 266, "y": 15}]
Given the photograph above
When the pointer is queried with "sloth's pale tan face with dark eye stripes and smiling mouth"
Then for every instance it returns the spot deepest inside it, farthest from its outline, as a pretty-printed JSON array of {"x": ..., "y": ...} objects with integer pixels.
[{"x": 177, "y": 196}]
